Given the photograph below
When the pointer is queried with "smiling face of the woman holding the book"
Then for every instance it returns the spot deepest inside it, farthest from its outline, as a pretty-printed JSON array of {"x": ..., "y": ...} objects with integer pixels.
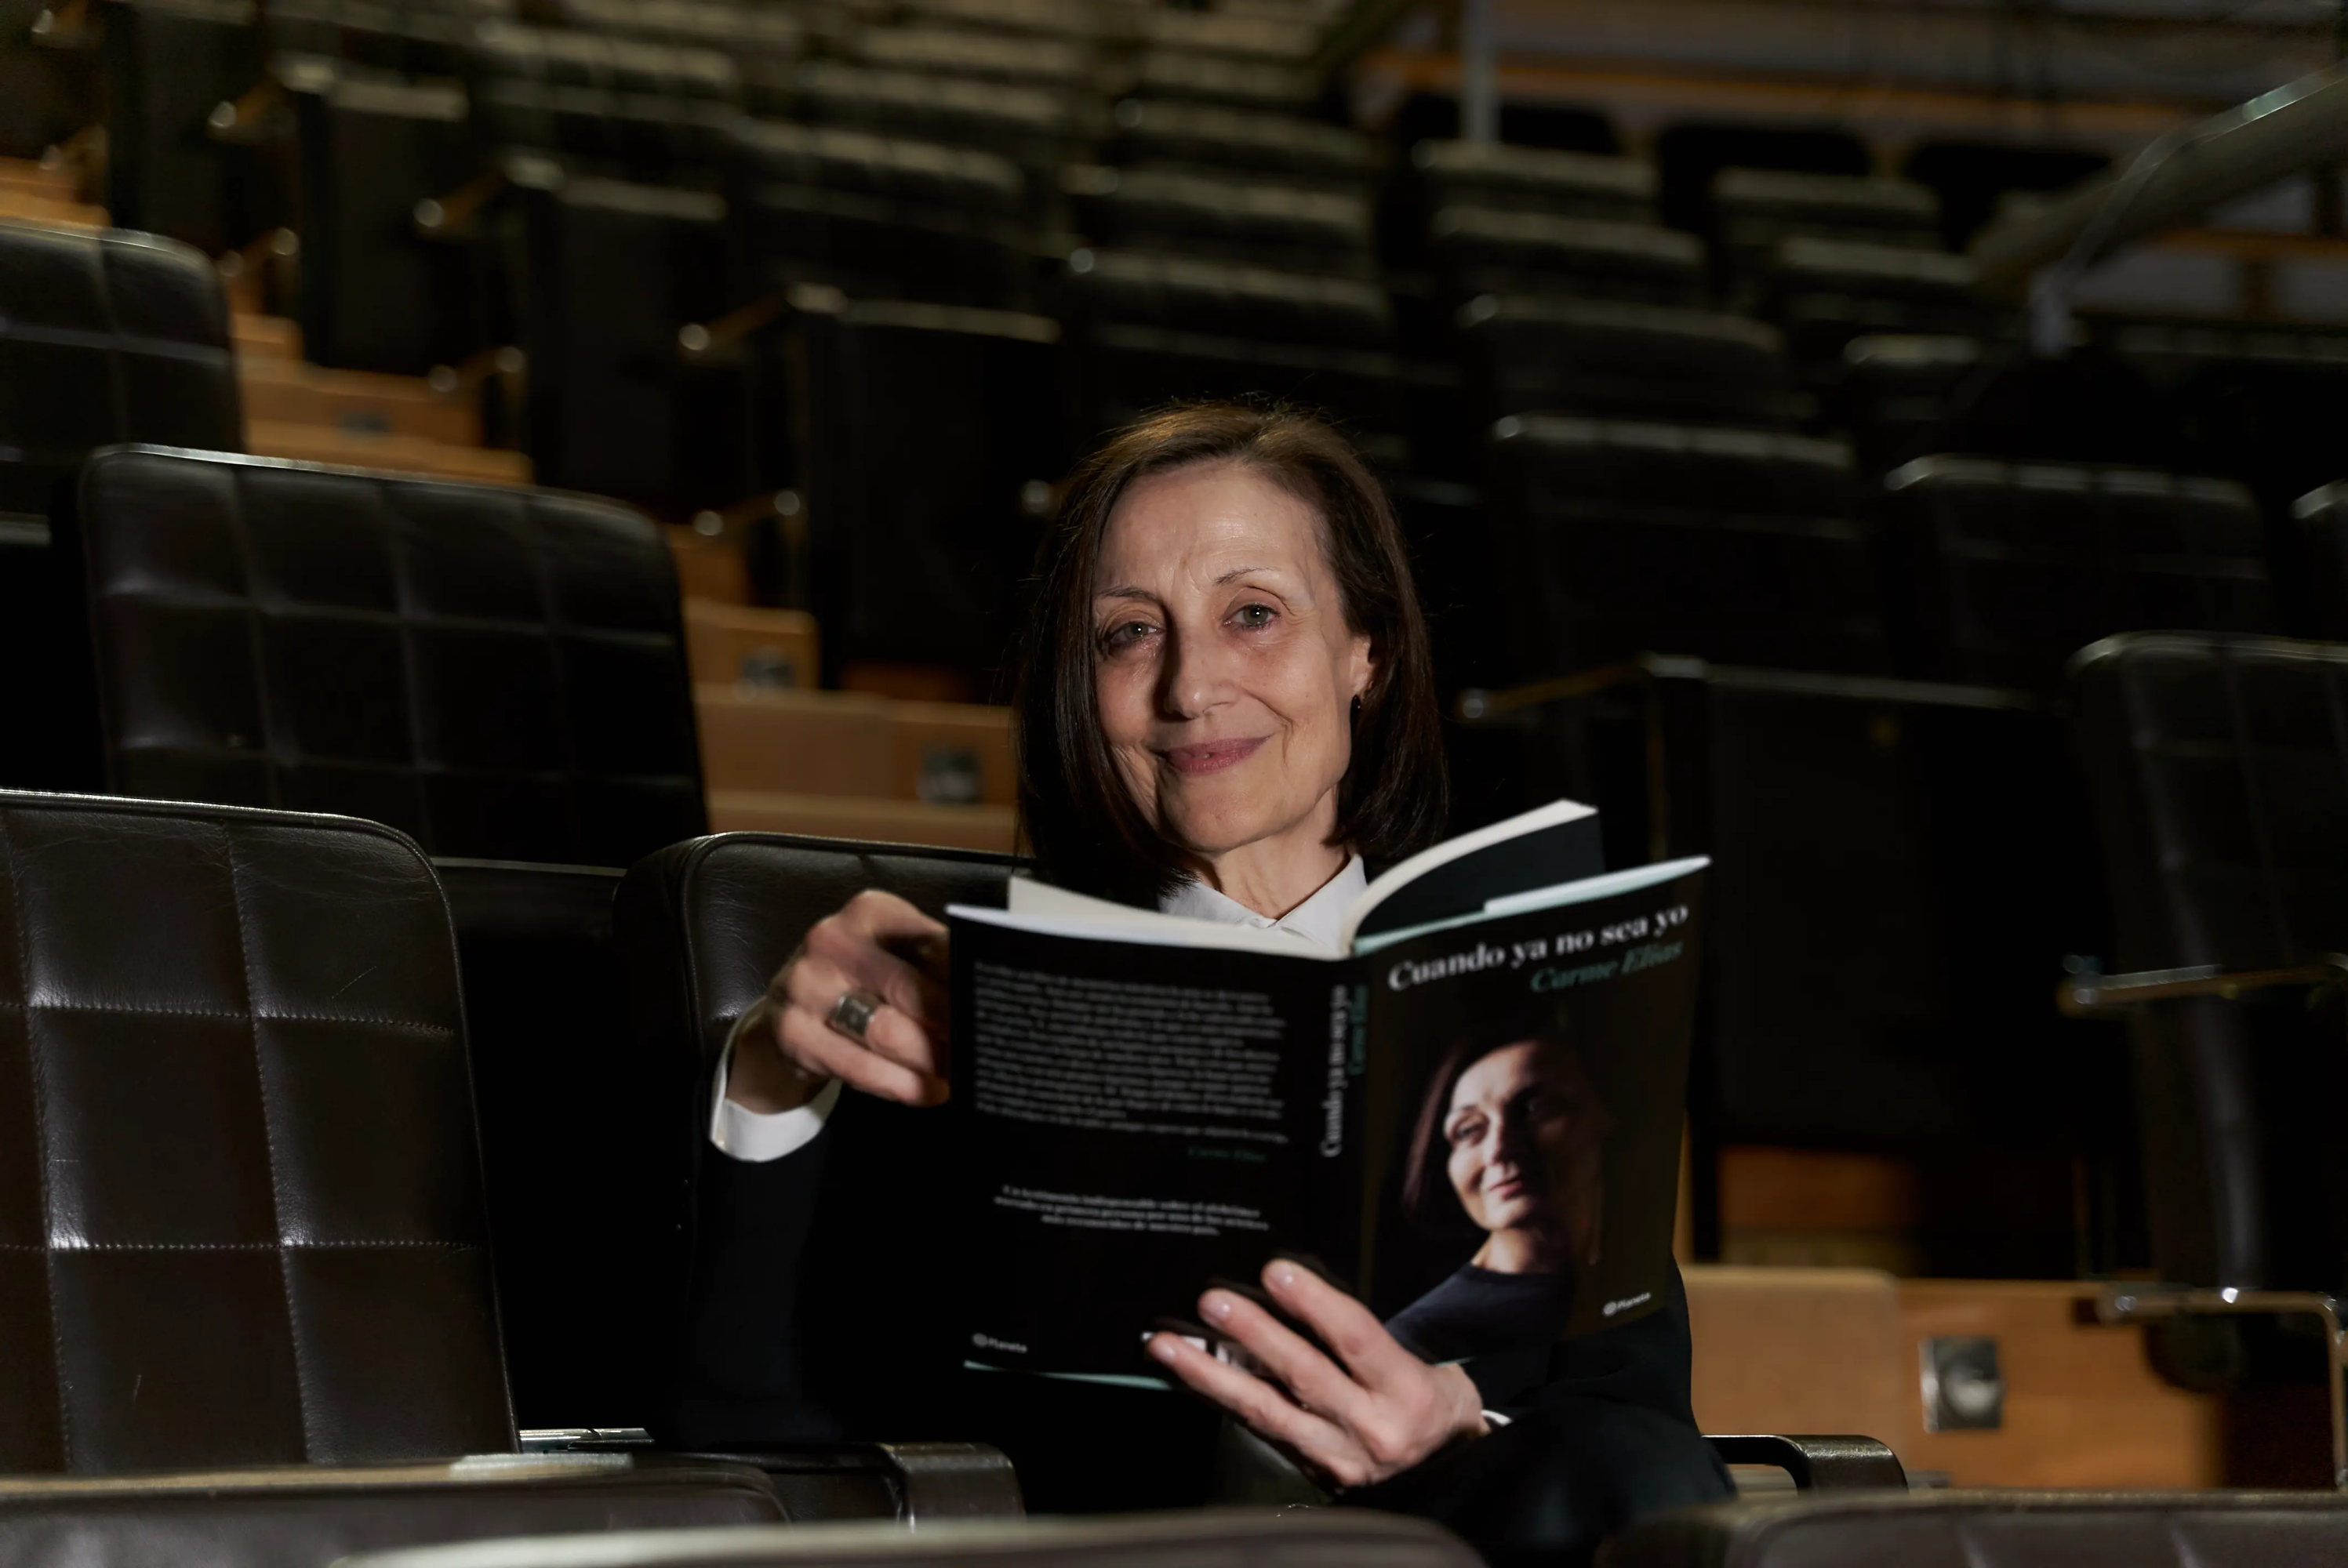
[{"x": 1224, "y": 665}]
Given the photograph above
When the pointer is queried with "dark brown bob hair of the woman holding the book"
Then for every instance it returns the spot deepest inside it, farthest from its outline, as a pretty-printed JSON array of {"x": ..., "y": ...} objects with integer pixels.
[{"x": 1074, "y": 806}]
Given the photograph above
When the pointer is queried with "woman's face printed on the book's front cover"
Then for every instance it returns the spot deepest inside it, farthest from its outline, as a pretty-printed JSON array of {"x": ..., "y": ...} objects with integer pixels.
[{"x": 1509, "y": 1133}]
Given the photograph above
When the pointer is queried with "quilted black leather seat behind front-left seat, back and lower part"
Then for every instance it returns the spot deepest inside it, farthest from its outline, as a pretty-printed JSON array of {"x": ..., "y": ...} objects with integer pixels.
[{"x": 497, "y": 673}]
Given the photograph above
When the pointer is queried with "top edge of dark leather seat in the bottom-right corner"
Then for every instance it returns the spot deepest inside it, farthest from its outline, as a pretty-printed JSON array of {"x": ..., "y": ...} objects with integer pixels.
[{"x": 2009, "y": 1529}]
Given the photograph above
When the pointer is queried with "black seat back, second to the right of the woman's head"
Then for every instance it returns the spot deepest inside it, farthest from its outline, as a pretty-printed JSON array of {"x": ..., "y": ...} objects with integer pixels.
[{"x": 2018, "y": 567}]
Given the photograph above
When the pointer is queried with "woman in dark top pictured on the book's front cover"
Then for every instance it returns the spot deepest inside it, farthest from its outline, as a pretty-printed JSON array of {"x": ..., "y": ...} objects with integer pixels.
[{"x": 1509, "y": 1144}]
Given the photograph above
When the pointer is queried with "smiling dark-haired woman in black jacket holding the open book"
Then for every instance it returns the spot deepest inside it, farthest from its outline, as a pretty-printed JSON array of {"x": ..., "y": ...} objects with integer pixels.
[{"x": 1224, "y": 710}]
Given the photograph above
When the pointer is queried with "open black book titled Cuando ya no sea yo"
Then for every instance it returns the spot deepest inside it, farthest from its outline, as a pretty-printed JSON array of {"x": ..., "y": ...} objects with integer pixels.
[{"x": 1471, "y": 1114}]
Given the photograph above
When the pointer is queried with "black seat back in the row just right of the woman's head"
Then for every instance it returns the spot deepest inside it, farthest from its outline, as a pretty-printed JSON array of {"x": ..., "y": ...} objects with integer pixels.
[{"x": 1657, "y": 539}]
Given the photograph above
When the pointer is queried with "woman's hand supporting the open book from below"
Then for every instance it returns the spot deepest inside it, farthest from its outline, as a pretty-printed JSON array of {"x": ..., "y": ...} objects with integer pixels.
[{"x": 1358, "y": 1424}]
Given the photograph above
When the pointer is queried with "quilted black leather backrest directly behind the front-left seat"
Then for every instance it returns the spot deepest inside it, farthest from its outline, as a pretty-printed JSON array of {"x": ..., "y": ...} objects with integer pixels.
[{"x": 492, "y": 670}]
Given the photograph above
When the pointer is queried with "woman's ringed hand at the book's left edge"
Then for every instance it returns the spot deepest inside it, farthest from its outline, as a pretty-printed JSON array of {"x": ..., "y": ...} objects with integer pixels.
[{"x": 882, "y": 945}]
